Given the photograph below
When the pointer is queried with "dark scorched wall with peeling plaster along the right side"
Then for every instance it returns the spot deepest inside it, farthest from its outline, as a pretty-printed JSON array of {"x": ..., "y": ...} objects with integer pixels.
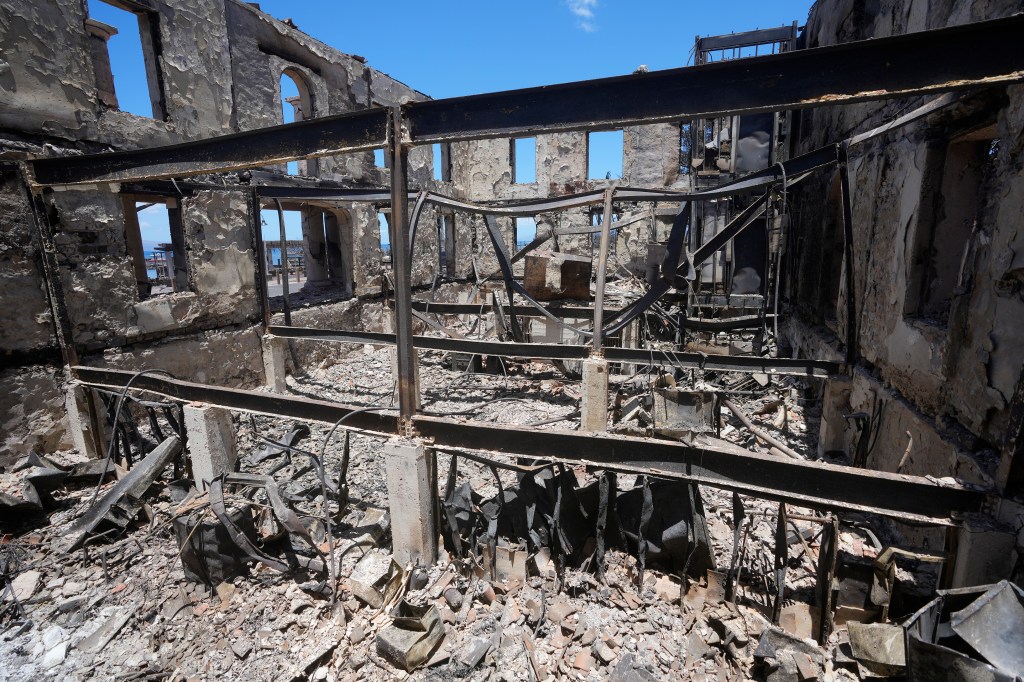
[{"x": 937, "y": 216}]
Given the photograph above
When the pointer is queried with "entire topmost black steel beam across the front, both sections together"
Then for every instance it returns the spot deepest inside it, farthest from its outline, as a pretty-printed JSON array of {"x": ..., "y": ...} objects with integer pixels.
[{"x": 956, "y": 58}]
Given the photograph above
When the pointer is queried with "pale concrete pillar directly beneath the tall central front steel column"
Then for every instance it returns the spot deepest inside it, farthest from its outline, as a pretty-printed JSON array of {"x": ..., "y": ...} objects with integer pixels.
[{"x": 411, "y": 488}]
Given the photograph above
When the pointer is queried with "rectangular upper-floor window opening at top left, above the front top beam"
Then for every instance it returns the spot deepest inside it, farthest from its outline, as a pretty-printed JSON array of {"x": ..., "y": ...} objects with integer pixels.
[{"x": 124, "y": 44}]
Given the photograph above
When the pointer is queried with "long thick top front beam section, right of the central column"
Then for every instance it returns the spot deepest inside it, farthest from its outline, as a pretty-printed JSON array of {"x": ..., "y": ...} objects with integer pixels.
[{"x": 913, "y": 64}]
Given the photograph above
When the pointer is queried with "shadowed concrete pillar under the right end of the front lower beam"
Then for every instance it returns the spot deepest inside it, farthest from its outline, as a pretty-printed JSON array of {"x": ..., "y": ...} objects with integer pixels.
[{"x": 986, "y": 551}]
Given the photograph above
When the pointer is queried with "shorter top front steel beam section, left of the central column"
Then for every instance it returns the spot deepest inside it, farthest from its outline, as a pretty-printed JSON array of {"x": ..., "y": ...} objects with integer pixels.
[{"x": 306, "y": 140}]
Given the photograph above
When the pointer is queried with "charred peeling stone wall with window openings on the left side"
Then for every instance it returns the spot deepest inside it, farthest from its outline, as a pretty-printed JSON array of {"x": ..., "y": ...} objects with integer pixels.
[{"x": 216, "y": 68}]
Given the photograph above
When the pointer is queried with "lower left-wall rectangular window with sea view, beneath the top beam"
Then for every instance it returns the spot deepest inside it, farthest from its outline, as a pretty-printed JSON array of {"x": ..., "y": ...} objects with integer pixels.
[{"x": 156, "y": 242}]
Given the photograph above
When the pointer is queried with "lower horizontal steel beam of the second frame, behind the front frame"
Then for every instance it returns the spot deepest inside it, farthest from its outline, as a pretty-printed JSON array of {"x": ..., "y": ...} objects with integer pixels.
[{"x": 777, "y": 366}]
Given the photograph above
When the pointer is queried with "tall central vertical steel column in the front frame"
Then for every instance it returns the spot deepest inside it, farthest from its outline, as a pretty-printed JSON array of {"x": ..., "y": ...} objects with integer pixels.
[{"x": 402, "y": 266}]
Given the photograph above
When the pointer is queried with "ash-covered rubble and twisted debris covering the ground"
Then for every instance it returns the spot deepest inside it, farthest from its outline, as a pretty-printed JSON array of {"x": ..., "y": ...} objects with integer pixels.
[{"x": 524, "y": 589}]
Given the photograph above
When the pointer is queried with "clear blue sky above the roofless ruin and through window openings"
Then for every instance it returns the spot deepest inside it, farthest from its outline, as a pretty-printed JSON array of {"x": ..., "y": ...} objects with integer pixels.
[{"x": 454, "y": 49}]
